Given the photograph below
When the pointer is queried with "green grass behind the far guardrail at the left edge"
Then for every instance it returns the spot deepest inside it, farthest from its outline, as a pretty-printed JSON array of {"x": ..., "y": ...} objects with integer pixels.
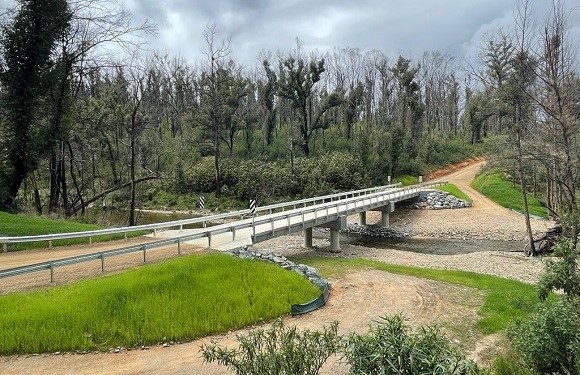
[{"x": 14, "y": 225}]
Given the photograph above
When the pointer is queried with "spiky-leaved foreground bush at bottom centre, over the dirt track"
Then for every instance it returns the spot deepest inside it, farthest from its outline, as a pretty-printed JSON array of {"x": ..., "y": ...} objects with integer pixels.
[{"x": 277, "y": 351}]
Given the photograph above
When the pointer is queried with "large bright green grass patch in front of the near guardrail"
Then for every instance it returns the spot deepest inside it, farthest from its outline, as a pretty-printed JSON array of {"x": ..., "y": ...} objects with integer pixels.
[{"x": 180, "y": 299}]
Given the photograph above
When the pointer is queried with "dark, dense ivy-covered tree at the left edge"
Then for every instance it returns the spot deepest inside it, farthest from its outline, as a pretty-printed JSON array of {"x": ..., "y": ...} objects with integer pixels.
[{"x": 28, "y": 42}]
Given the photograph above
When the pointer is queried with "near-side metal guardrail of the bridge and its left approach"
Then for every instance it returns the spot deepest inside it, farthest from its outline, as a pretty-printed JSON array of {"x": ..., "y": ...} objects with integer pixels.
[{"x": 379, "y": 199}]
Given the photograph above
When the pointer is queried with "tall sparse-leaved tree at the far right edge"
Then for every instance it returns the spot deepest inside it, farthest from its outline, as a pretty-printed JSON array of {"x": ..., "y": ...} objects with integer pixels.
[{"x": 558, "y": 94}]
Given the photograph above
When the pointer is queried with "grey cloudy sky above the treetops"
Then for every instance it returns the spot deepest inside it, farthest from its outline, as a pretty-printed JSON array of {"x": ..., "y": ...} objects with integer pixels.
[{"x": 395, "y": 27}]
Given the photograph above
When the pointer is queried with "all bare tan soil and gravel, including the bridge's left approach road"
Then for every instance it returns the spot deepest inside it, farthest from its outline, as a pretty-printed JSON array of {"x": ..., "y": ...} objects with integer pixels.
[{"x": 358, "y": 299}]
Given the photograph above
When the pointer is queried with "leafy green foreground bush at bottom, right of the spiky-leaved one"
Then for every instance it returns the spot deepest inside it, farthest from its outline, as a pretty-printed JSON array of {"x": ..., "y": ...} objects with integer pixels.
[{"x": 391, "y": 348}]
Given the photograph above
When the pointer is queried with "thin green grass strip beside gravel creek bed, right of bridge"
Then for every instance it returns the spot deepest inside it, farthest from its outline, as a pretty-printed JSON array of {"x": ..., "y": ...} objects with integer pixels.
[{"x": 505, "y": 301}]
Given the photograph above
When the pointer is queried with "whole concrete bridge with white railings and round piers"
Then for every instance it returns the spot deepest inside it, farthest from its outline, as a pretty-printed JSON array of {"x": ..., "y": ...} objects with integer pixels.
[{"x": 280, "y": 219}]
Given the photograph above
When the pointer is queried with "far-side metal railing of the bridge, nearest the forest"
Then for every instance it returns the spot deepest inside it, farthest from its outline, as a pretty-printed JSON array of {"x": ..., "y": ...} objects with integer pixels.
[{"x": 5, "y": 241}]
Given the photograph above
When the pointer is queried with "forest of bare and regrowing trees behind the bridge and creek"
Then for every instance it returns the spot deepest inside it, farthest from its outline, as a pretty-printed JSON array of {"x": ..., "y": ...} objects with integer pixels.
[{"x": 90, "y": 117}]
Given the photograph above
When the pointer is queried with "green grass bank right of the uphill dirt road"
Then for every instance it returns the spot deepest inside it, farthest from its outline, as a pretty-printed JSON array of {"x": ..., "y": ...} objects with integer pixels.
[{"x": 495, "y": 187}]
